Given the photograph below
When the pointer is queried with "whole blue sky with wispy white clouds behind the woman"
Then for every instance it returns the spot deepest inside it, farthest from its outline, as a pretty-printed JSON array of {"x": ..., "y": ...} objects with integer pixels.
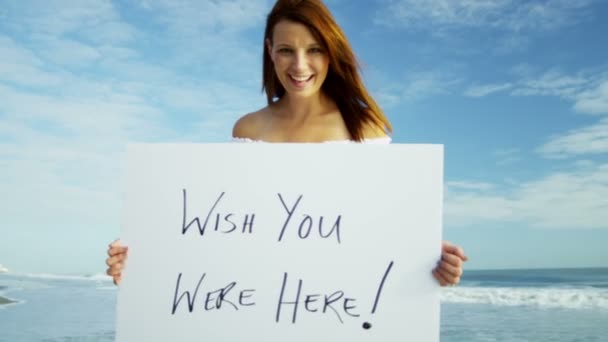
[{"x": 516, "y": 90}]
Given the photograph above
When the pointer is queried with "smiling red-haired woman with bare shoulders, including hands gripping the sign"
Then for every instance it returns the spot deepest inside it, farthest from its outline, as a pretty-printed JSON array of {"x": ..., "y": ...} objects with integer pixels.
[{"x": 315, "y": 94}]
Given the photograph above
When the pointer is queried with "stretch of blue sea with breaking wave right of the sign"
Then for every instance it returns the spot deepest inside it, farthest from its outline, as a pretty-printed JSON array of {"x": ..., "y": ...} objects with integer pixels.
[{"x": 527, "y": 305}]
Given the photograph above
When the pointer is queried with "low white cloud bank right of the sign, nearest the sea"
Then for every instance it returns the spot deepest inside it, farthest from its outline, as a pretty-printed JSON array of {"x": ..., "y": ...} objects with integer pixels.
[{"x": 577, "y": 199}]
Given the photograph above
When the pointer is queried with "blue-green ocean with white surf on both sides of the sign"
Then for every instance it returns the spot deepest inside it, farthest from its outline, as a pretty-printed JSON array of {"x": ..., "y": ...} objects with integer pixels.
[{"x": 501, "y": 305}]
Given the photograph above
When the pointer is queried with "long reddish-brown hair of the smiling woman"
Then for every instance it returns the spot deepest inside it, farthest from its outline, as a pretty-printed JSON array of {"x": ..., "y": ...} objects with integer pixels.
[{"x": 343, "y": 83}]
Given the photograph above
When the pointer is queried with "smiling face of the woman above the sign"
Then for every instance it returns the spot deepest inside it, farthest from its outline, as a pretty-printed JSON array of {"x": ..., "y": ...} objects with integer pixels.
[{"x": 300, "y": 61}]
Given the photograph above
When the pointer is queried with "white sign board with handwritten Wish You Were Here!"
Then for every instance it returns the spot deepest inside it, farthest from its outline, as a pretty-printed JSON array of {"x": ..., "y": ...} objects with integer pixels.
[{"x": 281, "y": 242}]
